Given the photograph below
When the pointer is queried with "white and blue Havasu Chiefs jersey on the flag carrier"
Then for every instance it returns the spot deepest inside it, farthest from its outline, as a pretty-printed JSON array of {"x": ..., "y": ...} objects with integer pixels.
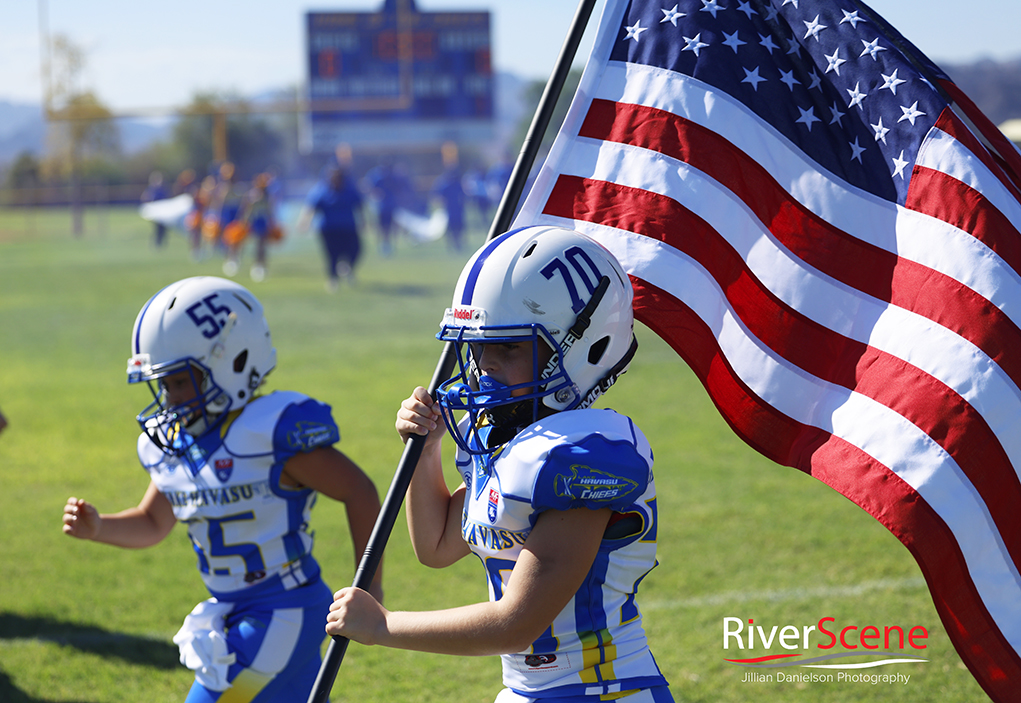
[{"x": 597, "y": 646}]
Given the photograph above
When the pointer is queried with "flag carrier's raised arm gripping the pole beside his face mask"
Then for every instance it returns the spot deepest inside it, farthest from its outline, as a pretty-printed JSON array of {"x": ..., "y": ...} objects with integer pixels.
[{"x": 433, "y": 514}]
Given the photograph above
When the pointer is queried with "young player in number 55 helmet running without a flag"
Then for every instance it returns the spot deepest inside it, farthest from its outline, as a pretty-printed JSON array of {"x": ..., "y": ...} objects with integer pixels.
[{"x": 242, "y": 470}]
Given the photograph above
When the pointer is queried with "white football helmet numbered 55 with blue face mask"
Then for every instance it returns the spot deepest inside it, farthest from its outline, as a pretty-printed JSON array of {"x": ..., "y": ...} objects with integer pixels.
[{"x": 207, "y": 332}]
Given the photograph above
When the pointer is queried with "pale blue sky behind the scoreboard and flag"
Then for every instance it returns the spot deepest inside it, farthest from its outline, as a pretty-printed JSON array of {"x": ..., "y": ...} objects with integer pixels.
[{"x": 143, "y": 55}]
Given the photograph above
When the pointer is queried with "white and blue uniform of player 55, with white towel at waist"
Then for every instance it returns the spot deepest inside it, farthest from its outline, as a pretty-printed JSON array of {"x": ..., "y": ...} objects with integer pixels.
[{"x": 260, "y": 636}]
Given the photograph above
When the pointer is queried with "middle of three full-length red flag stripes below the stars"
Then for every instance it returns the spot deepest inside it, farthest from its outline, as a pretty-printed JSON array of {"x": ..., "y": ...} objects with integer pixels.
[{"x": 922, "y": 399}]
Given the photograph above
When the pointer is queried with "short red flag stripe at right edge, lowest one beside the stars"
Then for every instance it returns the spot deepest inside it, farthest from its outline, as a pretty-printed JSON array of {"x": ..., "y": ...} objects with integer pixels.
[{"x": 944, "y": 197}]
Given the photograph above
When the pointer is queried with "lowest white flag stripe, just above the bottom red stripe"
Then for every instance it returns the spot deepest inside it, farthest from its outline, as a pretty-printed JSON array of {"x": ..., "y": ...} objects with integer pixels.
[{"x": 879, "y": 432}]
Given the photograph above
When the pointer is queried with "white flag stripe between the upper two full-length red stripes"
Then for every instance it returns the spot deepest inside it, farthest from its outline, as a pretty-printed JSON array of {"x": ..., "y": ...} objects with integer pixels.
[{"x": 936, "y": 350}]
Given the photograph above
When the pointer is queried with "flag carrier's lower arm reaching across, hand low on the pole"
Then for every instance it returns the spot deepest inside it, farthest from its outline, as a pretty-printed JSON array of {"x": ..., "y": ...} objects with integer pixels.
[{"x": 558, "y": 556}]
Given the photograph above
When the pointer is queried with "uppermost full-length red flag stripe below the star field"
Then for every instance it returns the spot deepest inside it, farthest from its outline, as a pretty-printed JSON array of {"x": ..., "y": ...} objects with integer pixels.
[{"x": 862, "y": 266}]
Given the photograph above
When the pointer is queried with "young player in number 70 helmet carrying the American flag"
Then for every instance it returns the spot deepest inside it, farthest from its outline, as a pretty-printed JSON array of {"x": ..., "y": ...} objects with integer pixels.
[{"x": 557, "y": 498}]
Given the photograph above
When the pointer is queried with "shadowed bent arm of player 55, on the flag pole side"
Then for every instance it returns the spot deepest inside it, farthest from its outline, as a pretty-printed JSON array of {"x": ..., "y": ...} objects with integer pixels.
[{"x": 331, "y": 473}]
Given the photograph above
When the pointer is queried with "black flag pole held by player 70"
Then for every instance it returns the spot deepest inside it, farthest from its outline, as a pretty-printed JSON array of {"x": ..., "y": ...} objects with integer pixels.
[{"x": 413, "y": 449}]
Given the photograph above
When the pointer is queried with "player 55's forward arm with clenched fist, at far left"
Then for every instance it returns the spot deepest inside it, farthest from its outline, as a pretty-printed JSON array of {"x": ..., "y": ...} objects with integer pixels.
[{"x": 136, "y": 528}]
